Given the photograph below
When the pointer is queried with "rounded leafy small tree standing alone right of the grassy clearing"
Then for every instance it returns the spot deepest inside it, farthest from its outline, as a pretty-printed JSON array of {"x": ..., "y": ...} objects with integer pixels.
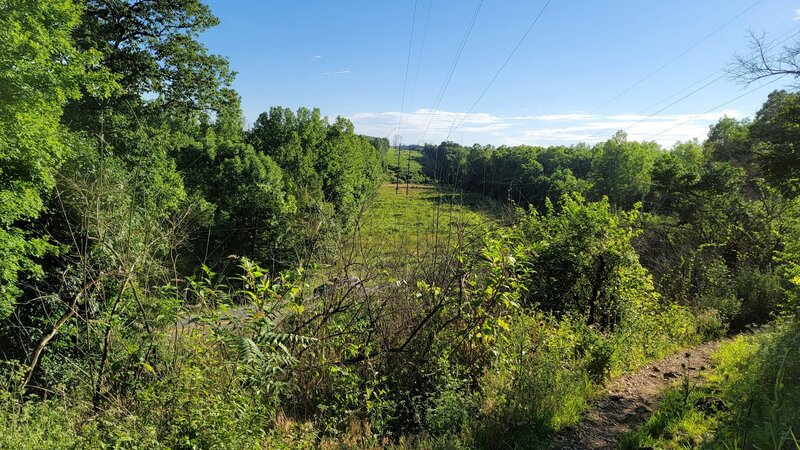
[{"x": 581, "y": 260}]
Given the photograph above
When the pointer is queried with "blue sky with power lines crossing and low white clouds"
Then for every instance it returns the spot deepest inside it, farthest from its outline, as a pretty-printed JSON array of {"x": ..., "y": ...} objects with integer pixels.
[{"x": 349, "y": 58}]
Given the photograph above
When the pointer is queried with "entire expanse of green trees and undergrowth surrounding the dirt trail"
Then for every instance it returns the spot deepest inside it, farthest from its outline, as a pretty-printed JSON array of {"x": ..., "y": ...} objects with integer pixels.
[{"x": 172, "y": 278}]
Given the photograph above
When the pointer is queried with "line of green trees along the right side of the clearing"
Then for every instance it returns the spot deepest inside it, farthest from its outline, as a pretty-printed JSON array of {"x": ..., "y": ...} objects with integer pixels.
[{"x": 713, "y": 215}]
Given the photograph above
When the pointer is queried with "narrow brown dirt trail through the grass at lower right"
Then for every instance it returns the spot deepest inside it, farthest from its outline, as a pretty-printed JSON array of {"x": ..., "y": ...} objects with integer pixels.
[{"x": 630, "y": 399}]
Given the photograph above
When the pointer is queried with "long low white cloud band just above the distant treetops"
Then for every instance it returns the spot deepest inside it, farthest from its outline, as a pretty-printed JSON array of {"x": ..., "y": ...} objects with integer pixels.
[{"x": 536, "y": 130}]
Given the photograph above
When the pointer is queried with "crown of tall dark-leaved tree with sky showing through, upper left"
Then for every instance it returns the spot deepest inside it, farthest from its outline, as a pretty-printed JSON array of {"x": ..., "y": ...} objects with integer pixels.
[{"x": 163, "y": 69}]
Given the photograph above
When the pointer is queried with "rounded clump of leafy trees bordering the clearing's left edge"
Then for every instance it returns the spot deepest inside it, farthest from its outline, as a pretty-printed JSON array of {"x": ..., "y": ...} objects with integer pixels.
[{"x": 327, "y": 172}]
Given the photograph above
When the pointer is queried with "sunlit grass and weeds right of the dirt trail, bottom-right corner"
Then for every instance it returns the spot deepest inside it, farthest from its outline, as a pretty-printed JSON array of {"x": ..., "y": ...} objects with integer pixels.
[{"x": 748, "y": 400}]
